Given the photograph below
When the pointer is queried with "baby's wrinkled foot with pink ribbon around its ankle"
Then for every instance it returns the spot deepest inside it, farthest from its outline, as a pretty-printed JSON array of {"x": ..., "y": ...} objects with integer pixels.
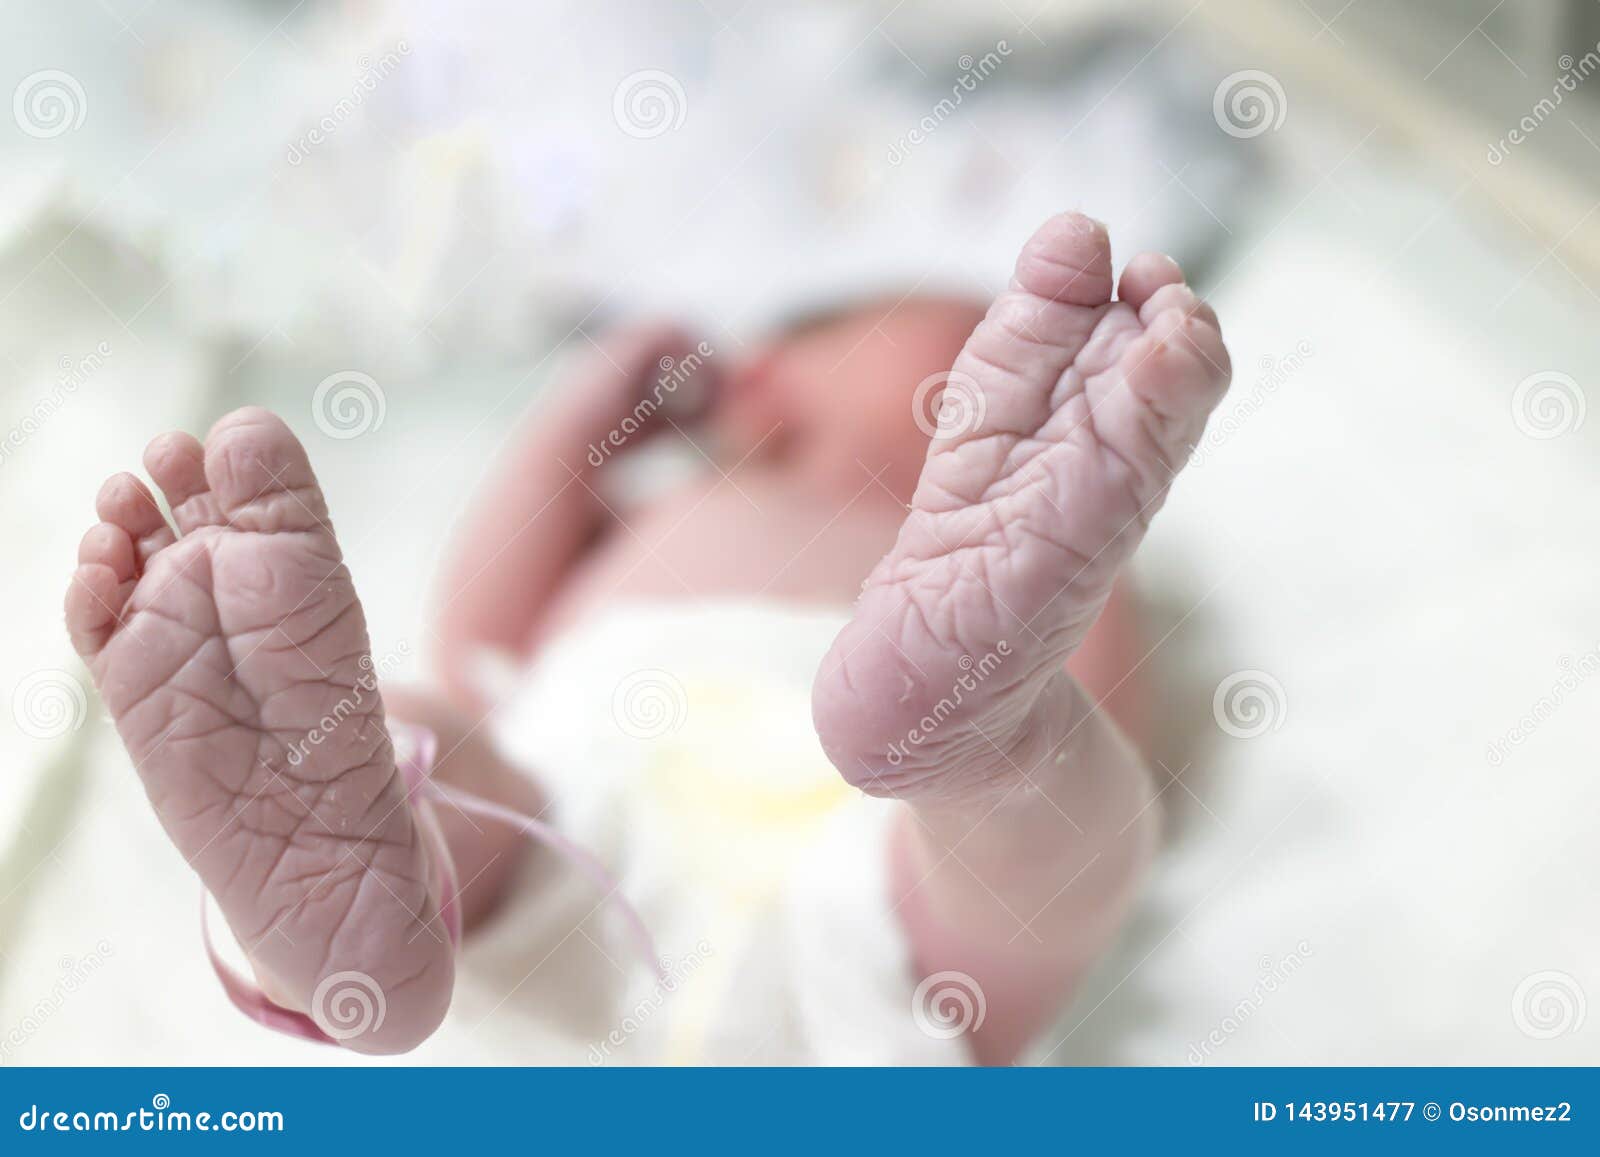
[{"x": 234, "y": 659}]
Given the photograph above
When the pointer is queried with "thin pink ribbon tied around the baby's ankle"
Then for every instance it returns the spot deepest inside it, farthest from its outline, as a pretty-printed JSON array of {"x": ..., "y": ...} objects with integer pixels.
[{"x": 417, "y": 763}]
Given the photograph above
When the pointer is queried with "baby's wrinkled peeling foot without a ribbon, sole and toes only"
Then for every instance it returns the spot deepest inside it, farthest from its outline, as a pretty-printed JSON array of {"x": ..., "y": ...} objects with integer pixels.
[{"x": 1065, "y": 420}]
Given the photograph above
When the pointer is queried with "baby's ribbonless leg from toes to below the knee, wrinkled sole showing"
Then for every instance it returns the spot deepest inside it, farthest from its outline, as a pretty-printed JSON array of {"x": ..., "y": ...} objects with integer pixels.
[{"x": 1028, "y": 814}]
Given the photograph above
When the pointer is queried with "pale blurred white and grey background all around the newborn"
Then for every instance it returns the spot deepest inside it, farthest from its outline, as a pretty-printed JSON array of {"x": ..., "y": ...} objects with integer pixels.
[{"x": 1372, "y": 603}]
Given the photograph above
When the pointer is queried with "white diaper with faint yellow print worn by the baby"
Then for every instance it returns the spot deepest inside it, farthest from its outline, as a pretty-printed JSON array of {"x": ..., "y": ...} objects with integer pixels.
[{"x": 676, "y": 742}]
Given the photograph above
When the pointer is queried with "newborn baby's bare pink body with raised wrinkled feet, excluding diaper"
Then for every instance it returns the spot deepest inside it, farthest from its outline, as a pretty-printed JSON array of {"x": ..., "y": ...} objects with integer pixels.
[{"x": 961, "y": 691}]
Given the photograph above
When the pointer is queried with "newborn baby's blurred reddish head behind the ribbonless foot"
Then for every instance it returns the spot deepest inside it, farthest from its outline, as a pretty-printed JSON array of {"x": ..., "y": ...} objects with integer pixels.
[{"x": 838, "y": 391}]
